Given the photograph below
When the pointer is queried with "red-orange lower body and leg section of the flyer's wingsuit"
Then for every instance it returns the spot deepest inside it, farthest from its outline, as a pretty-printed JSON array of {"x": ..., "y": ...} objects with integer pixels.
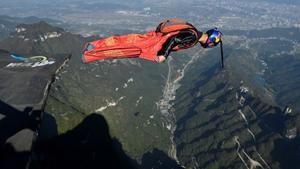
[{"x": 144, "y": 46}]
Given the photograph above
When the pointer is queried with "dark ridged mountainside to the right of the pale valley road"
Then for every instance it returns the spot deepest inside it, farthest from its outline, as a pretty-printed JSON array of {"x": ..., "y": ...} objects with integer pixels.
[{"x": 235, "y": 118}]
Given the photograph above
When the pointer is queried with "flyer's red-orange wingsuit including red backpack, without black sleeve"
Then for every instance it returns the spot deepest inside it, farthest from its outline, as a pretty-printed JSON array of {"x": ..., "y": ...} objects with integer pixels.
[{"x": 145, "y": 46}]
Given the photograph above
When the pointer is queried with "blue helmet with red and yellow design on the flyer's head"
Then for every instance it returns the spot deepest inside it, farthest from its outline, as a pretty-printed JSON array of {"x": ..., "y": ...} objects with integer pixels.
[{"x": 214, "y": 38}]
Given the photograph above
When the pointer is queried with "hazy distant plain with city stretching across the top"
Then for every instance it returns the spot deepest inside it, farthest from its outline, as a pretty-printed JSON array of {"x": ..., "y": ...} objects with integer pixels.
[{"x": 223, "y": 13}]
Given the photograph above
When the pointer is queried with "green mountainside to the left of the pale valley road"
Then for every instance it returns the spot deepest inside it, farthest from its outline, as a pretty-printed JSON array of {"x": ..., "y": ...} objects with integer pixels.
[{"x": 124, "y": 91}]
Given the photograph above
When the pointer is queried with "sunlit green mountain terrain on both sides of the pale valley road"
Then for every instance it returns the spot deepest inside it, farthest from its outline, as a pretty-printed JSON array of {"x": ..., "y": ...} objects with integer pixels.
[{"x": 187, "y": 108}]
